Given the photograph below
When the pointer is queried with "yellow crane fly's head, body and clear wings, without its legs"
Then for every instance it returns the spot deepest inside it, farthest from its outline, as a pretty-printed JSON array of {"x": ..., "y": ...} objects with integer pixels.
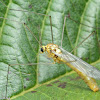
[{"x": 87, "y": 72}]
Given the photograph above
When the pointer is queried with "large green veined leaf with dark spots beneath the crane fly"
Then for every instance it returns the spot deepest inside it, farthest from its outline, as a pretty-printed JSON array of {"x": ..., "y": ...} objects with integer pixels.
[{"x": 18, "y": 46}]
